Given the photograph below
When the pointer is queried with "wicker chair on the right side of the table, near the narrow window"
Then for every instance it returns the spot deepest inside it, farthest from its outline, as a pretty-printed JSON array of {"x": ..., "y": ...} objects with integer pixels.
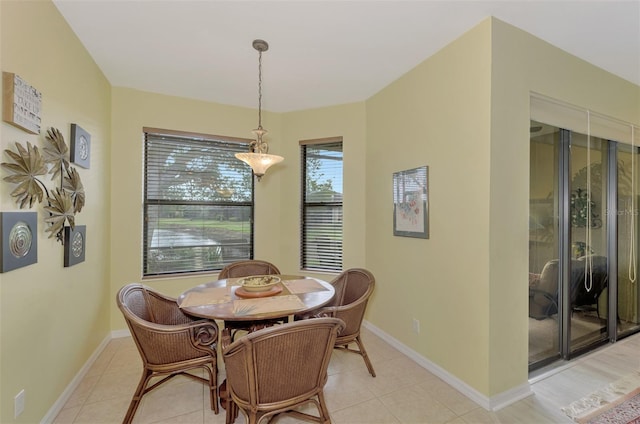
[{"x": 353, "y": 289}]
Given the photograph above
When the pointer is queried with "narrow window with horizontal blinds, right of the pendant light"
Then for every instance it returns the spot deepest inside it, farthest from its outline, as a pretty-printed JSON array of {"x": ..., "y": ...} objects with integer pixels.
[{"x": 322, "y": 204}]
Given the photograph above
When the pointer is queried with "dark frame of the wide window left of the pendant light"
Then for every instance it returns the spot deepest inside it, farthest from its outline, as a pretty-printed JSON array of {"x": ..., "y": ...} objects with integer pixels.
[{"x": 148, "y": 202}]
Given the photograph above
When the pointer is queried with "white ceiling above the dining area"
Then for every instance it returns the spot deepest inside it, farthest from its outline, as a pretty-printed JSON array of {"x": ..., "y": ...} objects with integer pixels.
[{"x": 322, "y": 52}]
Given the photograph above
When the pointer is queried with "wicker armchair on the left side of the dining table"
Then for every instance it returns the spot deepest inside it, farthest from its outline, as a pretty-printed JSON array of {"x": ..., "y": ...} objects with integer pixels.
[{"x": 170, "y": 342}]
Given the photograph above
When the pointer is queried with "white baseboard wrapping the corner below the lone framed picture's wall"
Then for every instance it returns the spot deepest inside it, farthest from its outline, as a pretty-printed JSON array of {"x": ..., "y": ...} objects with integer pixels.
[{"x": 492, "y": 403}]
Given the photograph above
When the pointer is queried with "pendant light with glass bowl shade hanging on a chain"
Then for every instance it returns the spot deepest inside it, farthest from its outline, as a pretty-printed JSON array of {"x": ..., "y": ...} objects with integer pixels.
[{"x": 258, "y": 157}]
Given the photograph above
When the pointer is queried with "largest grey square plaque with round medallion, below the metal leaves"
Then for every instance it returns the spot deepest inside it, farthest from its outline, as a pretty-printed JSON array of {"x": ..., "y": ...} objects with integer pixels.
[{"x": 19, "y": 239}]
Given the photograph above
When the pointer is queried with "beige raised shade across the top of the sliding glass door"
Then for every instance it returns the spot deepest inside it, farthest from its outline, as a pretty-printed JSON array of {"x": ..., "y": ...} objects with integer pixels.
[{"x": 569, "y": 117}]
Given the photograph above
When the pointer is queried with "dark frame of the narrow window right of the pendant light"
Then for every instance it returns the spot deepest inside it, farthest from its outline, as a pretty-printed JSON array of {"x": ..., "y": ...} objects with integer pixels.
[{"x": 306, "y": 258}]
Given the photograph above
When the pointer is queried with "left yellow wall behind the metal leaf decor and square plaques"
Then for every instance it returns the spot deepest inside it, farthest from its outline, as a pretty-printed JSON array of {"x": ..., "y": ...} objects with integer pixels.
[{"x": 53, "y": 318}]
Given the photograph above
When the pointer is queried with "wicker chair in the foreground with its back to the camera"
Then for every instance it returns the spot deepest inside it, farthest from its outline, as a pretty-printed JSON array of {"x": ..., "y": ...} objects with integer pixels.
[{"x": 276, "y": 369}]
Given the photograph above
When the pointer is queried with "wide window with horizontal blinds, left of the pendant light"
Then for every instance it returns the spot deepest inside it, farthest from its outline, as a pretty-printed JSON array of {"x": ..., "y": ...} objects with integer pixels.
[{"x": 198, "y": 203}]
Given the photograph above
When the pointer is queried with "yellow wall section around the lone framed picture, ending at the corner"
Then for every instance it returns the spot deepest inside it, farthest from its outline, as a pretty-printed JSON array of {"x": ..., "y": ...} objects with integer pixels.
[{"x": 435, "y": 115}]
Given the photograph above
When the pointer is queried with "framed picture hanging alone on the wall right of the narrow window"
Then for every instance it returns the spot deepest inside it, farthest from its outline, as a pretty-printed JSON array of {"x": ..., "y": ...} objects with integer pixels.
[{"x": 411, "y": 203}]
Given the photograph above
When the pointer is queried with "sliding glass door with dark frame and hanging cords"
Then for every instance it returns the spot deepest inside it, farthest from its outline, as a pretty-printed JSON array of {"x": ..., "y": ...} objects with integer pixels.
[{"x": 582, "y": 262}]
